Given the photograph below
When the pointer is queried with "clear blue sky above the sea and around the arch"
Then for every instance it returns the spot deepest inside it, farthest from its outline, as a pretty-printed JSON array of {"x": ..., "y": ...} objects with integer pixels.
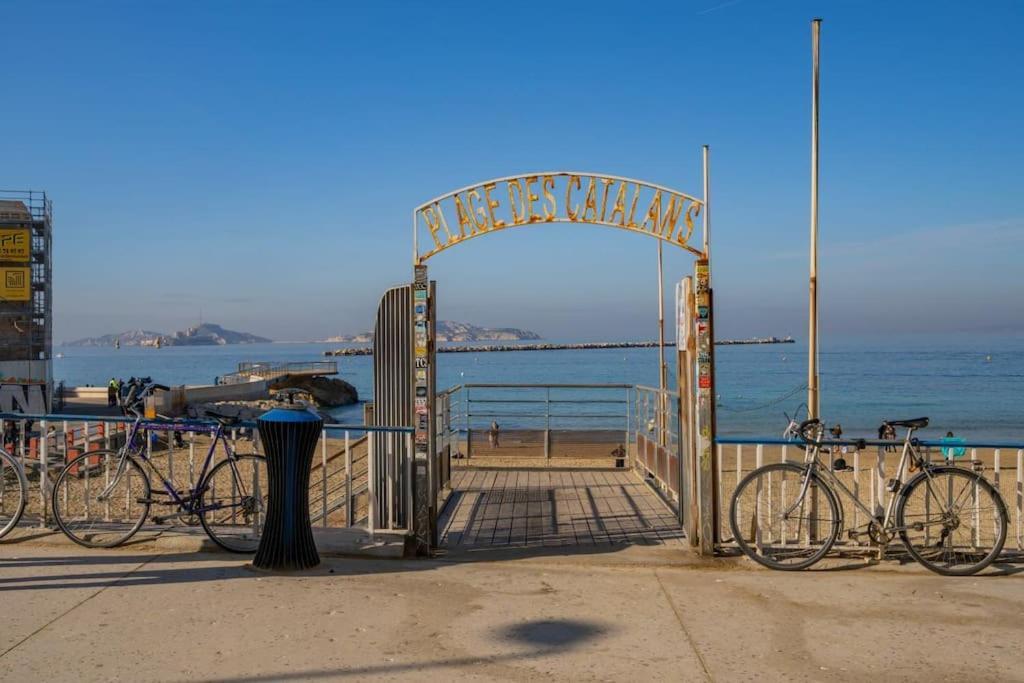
[{"x": 259, "y": 161}]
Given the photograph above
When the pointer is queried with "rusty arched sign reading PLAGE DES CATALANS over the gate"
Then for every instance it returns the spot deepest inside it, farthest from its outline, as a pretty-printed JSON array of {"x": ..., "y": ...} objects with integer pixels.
[{"x": 557, "y": 197}]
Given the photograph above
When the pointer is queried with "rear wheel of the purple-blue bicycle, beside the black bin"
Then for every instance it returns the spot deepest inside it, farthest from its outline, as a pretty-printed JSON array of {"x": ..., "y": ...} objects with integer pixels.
[{"x": 233, "y": 508}]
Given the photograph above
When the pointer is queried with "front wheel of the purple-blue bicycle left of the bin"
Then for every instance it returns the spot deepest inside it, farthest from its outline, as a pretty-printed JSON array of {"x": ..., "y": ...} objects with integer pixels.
[{"x": 101, "y": 499}]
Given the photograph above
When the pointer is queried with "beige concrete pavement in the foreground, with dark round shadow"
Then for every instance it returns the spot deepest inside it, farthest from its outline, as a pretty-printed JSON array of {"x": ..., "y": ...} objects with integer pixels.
[{"x": 621, "y": 614}]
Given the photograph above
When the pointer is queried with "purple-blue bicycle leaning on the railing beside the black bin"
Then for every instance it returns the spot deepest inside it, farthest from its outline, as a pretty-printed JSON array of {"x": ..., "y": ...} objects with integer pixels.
[{"x": 229, "y": 500}]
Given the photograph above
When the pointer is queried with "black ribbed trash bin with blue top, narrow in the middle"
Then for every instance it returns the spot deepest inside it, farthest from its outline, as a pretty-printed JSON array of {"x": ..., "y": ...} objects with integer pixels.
[{"x": 289, "y": 437}]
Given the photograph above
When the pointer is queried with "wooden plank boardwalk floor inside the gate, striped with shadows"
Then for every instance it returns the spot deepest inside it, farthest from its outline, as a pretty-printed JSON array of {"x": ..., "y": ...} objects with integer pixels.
[{"x": 551, "y": 508}]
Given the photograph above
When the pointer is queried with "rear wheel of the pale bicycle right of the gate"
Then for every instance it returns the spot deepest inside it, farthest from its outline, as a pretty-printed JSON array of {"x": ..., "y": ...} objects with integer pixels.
[{"x": 952, "y": 521}]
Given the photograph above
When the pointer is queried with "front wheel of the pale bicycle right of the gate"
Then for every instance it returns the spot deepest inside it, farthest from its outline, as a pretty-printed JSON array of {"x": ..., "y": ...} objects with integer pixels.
[{"x": 778, "y": 528}]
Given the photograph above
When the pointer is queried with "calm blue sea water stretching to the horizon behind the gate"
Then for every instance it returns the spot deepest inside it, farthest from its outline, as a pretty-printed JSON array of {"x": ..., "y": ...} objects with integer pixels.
[{"x": 970, "y": 385}]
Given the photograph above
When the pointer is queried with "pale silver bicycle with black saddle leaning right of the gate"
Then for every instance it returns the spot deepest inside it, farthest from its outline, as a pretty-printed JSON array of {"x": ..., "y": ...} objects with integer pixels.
[{"x": 950, "y": 519}]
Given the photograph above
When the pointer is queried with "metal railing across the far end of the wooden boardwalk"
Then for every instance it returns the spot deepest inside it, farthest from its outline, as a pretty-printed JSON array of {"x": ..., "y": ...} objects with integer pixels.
[{"x": 584, "y": 421}]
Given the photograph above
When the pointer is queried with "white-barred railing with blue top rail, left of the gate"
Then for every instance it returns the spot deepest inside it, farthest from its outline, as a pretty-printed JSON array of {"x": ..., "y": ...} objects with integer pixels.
[{"x": 343, "y": 493}]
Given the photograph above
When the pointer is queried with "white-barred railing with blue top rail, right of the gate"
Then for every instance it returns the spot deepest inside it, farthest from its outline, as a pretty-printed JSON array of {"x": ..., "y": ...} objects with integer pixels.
[{"x": 1003, "y": 464}]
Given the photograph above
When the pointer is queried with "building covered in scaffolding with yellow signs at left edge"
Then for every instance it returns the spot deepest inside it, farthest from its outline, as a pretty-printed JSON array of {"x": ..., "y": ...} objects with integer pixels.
[{"x": 26, "y": 301}]
